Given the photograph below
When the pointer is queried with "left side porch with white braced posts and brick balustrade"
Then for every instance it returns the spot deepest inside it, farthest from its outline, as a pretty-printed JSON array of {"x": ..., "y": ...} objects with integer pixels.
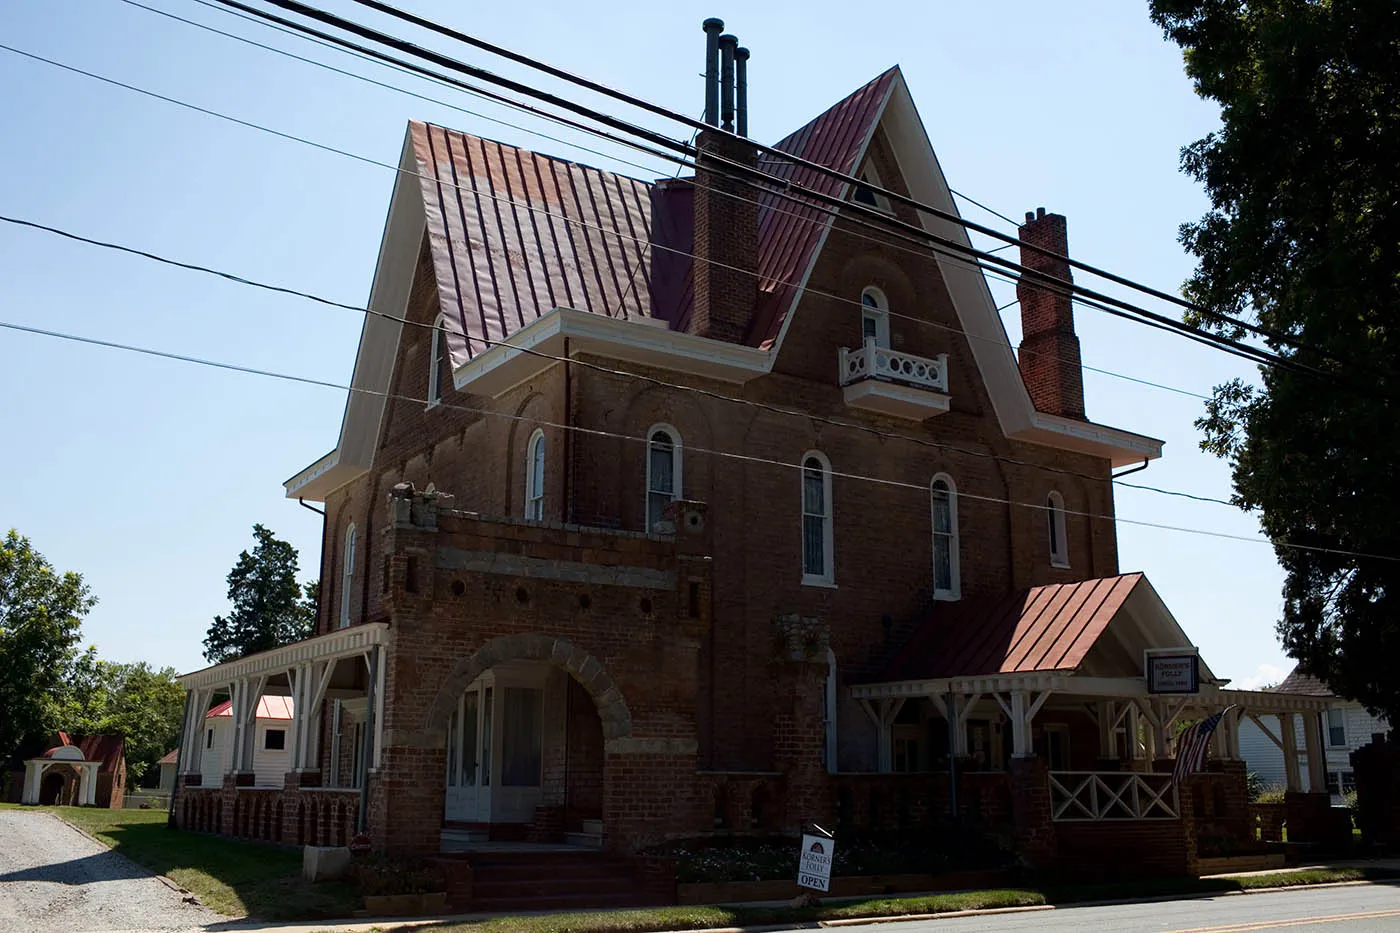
[{"x": 335, "y": 689}]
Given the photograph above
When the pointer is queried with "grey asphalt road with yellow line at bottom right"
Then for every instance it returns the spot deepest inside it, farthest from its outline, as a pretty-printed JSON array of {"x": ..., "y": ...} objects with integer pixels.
[{"x": 1363, "y": 908}]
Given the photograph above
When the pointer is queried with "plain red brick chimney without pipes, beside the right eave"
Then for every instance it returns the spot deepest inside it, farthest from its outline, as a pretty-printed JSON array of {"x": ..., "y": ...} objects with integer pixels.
[{"x": 1049, "y": 348}]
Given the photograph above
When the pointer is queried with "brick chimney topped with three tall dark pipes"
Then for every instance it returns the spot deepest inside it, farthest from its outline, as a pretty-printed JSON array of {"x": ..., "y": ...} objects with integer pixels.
[{"x": 726, "y": 215}]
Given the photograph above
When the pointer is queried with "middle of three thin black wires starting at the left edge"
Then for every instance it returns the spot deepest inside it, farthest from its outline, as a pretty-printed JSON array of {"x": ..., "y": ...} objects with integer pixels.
[{"x": 776, "y": 410}]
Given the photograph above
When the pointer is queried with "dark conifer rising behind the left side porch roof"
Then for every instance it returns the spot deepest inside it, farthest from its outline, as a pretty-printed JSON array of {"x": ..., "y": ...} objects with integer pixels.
[{"x": 271, "y": 609}]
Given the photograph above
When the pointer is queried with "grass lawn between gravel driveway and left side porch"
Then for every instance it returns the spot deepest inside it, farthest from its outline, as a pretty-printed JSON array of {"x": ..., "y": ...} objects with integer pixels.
[{"x": 237, "y": 879}]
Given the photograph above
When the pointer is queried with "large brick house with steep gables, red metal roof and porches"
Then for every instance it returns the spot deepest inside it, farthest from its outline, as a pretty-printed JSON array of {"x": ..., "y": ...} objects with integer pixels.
[{"x": 573, "y": 590}]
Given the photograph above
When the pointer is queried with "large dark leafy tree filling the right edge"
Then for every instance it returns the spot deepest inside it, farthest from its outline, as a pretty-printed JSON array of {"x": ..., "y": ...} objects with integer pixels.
[{"x": 1303, "y": 240}]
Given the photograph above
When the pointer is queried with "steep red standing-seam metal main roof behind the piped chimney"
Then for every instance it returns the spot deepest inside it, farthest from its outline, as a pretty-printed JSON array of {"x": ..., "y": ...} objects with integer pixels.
[{"x": 514, "y": 233}]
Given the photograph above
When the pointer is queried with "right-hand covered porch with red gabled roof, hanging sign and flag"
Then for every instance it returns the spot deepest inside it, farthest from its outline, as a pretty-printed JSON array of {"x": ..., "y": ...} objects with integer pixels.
[{"x": 1060, "y": 711}]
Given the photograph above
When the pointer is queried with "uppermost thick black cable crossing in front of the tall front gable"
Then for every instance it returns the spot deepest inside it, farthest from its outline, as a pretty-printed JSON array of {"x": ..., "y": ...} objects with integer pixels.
[{"x": 699, "y": 125}]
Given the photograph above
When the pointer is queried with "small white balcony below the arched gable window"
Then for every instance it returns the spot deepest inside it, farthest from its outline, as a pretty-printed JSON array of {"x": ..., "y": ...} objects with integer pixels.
[{"x": 895, "y": 383}]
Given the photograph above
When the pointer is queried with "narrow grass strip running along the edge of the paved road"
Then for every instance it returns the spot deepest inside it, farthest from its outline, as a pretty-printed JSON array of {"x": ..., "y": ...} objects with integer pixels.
[{"x": 702, "y": 918}]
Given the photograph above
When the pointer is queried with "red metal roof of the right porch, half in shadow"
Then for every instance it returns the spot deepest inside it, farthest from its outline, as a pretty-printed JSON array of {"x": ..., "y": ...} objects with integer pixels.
[{"x": 1049, "y": 628}]
